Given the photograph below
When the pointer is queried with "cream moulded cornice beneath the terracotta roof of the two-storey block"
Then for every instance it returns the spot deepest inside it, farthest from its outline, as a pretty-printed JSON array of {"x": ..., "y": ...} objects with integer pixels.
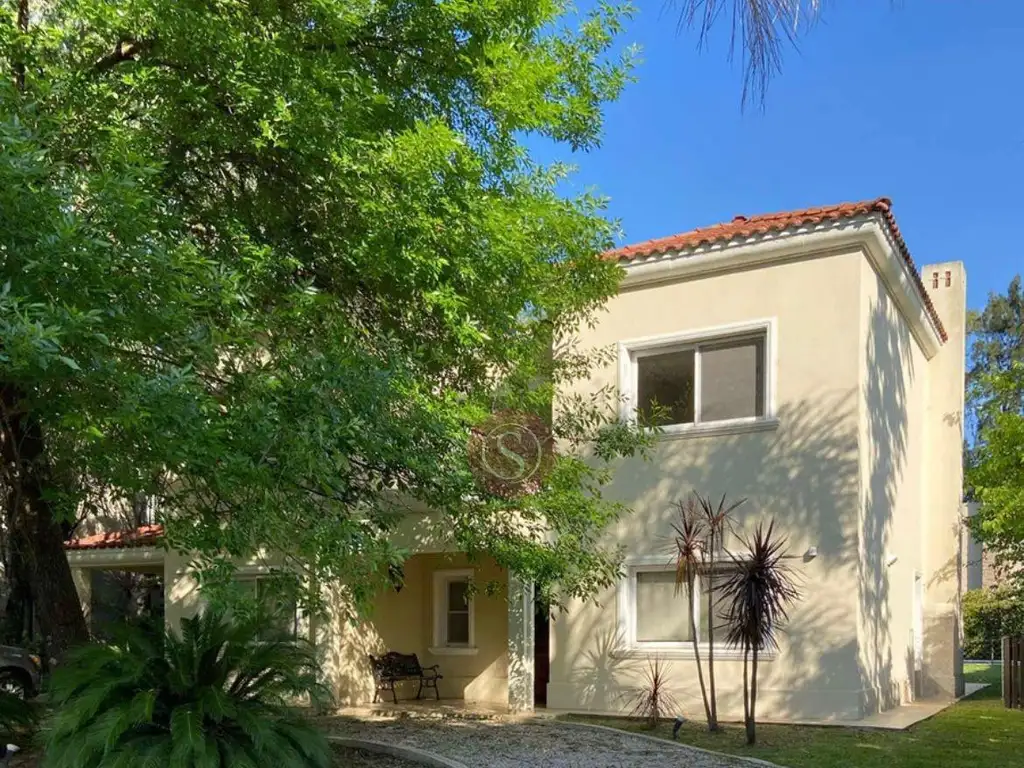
[{"x": 867, "y": 234}]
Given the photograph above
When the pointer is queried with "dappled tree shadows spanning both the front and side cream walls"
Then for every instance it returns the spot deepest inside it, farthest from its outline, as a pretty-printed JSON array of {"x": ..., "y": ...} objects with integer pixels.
[{"x": 808, "y": 476}]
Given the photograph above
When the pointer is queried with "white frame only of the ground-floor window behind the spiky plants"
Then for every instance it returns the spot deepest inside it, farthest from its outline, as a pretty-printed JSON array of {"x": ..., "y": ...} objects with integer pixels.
[{"x": 670, "y": 650}]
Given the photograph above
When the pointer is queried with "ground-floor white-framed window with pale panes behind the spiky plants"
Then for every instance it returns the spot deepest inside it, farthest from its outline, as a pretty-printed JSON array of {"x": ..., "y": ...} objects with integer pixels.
[{"x": 654, "y": 614}]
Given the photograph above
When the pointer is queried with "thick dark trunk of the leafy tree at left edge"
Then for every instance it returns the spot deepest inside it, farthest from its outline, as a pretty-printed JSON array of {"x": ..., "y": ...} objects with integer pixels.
[{"x": 36, "y": 538}]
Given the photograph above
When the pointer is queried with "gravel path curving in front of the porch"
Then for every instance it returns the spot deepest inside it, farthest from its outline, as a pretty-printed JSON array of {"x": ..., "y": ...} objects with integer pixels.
[{"x": 497, "y": 744}]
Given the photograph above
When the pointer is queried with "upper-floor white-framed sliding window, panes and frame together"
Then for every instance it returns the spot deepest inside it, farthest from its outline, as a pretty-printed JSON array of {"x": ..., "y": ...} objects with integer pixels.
[{"x": 704, "y": 380}]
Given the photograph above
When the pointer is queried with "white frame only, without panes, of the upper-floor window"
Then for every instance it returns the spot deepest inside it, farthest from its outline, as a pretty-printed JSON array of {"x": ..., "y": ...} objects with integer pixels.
[{"x": 633, "y": 350}]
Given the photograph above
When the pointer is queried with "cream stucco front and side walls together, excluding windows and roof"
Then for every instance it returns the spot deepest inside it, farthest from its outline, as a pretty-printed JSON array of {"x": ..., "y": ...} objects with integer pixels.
[{"x": 850, "y": 471}]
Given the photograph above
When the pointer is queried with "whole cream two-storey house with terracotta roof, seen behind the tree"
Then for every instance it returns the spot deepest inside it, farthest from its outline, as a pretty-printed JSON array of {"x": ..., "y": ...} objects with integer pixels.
[{"x": 808, "y": 369}]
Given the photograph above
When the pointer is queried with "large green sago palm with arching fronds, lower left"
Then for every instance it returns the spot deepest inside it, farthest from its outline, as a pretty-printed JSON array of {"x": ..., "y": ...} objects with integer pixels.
[{"x": 212, "y": 697}]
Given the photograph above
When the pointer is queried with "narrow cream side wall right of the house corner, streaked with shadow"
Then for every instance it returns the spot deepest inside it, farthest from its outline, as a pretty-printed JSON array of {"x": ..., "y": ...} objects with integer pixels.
[{"x": 892, "y": 416}]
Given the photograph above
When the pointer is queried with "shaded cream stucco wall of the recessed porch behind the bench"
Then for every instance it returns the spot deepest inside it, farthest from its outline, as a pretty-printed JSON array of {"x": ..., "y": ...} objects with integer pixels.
[{"x": 404, "y": 622}]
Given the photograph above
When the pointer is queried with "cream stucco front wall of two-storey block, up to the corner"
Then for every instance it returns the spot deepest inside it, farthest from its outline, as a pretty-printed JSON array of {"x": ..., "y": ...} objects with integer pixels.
[{"x": 804, "y": 473}]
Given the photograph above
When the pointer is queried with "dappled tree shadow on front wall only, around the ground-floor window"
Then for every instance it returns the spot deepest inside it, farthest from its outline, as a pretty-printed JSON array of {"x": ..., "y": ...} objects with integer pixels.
[{"x": 805, "y": 475}]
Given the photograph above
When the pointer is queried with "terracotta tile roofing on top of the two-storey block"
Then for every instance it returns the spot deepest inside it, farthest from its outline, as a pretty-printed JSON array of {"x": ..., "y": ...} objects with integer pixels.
[{"x": 753, "y": 227}]
